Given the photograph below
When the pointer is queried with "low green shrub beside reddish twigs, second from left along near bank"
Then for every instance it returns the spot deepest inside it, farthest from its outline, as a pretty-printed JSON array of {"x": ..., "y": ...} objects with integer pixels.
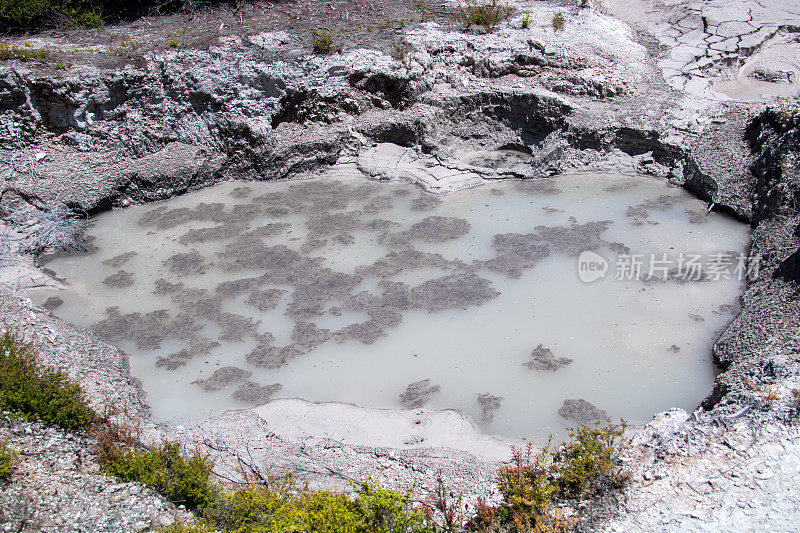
[{"x": 179, "y": 478}]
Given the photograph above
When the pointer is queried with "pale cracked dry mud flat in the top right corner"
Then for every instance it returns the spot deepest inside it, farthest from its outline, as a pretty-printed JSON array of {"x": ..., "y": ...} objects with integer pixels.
[{"x": 730, "y": 47}]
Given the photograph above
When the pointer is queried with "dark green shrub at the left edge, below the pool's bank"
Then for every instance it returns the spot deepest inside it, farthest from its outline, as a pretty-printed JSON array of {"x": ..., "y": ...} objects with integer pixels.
[{"x": 36, "y": 391}]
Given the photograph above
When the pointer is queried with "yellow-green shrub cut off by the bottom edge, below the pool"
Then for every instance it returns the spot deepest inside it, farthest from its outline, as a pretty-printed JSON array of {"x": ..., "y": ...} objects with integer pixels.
[{"x": 282, "y": 506}]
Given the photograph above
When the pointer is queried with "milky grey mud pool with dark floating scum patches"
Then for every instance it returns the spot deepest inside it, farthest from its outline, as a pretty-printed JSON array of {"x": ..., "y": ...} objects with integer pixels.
[{"x": 340, "y": 288}]
